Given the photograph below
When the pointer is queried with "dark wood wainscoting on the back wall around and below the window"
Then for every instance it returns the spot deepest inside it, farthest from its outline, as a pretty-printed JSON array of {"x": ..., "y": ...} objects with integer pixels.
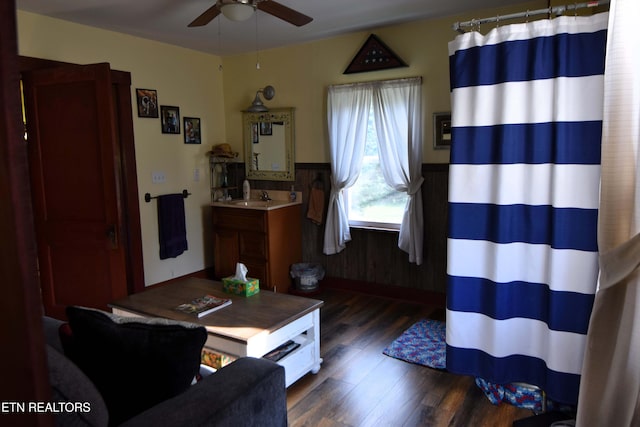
[{"x": 373, "y": 256}]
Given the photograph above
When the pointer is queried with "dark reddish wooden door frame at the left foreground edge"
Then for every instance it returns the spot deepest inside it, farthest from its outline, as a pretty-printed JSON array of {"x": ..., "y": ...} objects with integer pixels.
[{"x": 23, "y": 369}]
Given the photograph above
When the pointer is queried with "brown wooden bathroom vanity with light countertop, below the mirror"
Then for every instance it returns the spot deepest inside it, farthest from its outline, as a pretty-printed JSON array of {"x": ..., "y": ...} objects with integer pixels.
[{"x": 265, "y": 236}]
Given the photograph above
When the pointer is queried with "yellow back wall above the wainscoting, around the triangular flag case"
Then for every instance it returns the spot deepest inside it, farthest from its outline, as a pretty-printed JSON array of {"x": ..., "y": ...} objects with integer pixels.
[{"x": 301, "y": 75}]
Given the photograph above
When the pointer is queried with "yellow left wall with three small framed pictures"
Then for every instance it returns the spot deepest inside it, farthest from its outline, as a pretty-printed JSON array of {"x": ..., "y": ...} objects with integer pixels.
[{"x": 185, "y": 78}]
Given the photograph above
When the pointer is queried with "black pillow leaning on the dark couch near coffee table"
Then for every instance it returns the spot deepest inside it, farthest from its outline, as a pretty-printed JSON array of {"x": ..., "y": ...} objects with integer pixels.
[{"x": 134, "y": 363}]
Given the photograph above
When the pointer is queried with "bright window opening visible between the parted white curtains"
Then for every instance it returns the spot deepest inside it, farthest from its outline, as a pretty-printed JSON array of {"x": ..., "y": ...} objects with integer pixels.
[{"x": 371, "y": 202}]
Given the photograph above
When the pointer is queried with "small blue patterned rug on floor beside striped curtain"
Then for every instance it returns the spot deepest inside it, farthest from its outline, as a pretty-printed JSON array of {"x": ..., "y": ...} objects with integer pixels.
[{"x": 423, "y": 343}]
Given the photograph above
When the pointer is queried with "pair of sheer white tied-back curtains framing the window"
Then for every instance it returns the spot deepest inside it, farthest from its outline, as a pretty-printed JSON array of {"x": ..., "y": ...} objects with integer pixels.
[{"x": 398, "y": 114}]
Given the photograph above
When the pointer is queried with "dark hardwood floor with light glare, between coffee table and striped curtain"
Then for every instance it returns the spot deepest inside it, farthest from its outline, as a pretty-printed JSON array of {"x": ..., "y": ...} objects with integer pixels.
[{"x": 359, "y": 386}]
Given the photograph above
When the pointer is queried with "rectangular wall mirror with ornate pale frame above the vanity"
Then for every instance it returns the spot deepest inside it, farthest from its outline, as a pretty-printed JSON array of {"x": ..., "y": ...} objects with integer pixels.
[{"x": 269, "y": 144}]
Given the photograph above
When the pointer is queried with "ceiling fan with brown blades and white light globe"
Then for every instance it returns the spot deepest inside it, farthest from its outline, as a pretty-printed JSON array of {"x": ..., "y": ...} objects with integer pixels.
[{"x": 240, "y": 10}]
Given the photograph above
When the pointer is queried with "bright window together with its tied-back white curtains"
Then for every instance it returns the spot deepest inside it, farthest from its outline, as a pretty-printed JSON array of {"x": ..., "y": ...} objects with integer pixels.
[{"x": 397, "y": 115}]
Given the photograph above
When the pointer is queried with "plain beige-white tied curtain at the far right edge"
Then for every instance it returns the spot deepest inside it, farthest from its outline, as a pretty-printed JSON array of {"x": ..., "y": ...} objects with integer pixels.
[{"x": 610, "y": 386}]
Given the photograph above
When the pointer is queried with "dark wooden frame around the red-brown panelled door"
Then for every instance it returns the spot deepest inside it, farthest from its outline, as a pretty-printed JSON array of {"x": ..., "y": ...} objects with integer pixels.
[{"x": 129, "y": 199}]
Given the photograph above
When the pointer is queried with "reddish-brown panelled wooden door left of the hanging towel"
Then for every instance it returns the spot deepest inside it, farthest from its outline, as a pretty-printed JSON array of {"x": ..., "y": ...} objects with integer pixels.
[{"x": 73, "y": 156}]
